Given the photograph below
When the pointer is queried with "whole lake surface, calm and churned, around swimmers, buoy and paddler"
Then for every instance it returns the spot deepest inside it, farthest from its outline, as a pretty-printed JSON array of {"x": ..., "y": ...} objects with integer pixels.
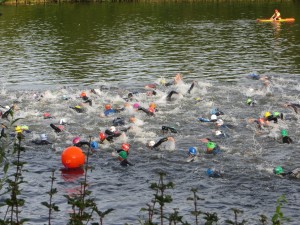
[{"x": 58, "y": 50}]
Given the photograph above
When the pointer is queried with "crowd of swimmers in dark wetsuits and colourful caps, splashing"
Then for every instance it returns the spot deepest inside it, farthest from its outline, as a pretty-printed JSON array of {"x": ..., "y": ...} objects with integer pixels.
[{"x": 112, "y": 133}]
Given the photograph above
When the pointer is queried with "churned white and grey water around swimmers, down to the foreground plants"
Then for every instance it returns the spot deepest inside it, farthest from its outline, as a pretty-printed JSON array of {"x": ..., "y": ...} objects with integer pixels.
[{"x": 248, "y": 158}]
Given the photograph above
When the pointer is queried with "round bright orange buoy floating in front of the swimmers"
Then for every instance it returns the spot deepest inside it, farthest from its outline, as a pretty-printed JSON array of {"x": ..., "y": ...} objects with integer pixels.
[{"x": 72, "y": 157}]
